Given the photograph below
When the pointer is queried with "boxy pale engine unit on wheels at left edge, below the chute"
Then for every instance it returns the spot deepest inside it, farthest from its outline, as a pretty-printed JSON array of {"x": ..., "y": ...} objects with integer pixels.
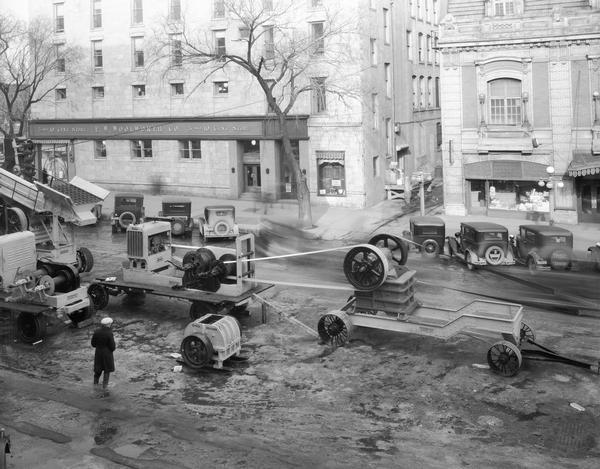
[{"x": 35, "y": 288}]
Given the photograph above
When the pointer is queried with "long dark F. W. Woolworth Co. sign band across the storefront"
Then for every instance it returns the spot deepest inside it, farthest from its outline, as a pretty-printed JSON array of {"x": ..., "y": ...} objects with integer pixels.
[{"x": 167, "y": 129}]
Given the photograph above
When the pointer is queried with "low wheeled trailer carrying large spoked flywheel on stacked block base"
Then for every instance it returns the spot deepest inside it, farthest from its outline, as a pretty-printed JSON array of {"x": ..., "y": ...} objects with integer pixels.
[{"x": 384, "y": 299}]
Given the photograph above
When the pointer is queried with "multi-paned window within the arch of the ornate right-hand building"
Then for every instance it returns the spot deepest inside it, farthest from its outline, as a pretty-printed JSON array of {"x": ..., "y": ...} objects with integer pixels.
[{"x": 505, "y": 101}]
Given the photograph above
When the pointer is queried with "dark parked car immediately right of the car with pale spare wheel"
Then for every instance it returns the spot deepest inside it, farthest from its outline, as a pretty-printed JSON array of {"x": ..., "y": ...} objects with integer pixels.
[{"x": 543, "y": 247}]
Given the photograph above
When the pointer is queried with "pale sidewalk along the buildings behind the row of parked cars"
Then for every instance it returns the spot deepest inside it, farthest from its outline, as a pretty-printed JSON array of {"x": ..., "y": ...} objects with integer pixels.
[{"x": 339, "y": 223}]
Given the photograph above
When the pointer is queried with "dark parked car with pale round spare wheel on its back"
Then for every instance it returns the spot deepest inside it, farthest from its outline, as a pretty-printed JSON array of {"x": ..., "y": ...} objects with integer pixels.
[{"x": 481, "y": 243}]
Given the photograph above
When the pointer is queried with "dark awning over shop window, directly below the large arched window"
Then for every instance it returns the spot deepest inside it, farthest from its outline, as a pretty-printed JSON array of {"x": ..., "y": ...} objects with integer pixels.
[{"x": 505, "y": 170}]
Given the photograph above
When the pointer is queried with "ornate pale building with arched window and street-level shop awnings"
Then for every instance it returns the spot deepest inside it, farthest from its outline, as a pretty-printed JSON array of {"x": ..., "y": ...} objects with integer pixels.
[{"x": 520, "y": 116}]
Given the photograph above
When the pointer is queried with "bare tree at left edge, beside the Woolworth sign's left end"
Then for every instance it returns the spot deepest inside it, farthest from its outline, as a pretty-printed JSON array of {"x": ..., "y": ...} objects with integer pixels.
[{"x": 32, "y": 66}]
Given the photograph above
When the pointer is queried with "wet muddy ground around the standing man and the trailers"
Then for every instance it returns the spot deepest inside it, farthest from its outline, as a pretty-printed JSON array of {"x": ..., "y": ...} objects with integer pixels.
[{"x": 384, "y": 400}]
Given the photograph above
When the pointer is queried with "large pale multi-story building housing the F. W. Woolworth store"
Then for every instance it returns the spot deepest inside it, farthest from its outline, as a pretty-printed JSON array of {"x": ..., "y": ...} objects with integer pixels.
[{"x": 127, "y": 126}]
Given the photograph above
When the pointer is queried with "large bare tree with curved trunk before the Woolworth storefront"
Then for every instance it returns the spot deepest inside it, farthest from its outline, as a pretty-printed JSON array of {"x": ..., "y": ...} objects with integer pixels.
[{"x": 280, "y": 52}]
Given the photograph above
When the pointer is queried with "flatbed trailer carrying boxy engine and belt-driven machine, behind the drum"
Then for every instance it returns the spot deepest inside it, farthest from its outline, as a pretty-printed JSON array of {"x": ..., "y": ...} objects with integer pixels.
[{"x": 213, "y": 278}]
